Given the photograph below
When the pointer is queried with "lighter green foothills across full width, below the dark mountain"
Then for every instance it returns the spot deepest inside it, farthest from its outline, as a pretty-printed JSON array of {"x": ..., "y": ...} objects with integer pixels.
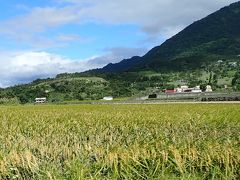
[{"x": 90, "y": 86}]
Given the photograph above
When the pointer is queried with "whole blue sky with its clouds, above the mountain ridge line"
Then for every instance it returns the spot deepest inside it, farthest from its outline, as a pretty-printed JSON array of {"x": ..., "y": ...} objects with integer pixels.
[{"x": 77, "y": 35}]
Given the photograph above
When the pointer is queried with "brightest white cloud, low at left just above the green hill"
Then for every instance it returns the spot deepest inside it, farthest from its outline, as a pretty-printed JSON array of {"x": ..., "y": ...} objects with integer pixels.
[{"x": 25, "y": 66}]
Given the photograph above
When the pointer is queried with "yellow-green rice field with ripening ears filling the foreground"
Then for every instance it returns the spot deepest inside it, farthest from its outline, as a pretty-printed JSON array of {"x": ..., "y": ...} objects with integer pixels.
[{"x": 171, "y": 141}]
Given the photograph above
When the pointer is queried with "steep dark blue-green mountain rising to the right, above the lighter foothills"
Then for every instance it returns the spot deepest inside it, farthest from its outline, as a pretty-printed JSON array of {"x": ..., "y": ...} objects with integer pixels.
[{"x": 216, "y": 36}]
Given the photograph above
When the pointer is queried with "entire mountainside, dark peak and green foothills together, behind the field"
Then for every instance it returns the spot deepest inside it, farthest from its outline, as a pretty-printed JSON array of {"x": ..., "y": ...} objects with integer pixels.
[{"x": 205, "y": 53}]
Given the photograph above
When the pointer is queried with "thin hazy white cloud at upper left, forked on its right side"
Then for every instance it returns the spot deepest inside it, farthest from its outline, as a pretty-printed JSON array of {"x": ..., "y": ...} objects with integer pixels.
[{"x": 27, "y": 28}]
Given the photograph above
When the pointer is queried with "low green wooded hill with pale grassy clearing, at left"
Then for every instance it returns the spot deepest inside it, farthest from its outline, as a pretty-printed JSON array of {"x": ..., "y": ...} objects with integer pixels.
[{"x": 67, "y": 87}]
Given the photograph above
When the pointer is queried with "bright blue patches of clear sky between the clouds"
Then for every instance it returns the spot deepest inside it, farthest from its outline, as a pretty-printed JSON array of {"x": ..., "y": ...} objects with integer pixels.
[{"x": 78, "y": 40}]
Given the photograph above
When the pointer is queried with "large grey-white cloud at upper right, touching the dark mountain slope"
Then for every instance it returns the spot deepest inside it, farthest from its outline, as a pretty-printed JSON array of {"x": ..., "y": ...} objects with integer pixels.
[{"x": 155, "y": 17}]
